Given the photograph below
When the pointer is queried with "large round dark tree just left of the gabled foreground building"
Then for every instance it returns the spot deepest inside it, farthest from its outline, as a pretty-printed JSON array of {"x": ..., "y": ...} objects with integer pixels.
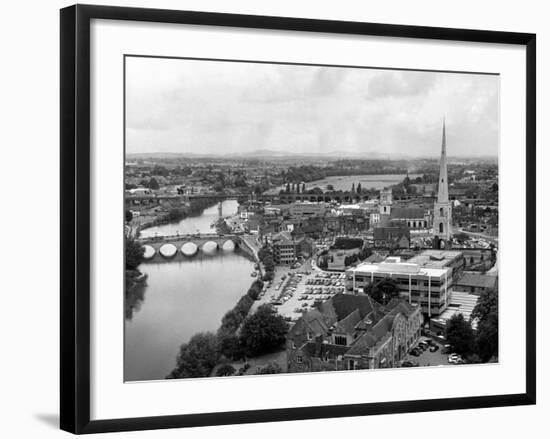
[{"x": 263, "y": 331}]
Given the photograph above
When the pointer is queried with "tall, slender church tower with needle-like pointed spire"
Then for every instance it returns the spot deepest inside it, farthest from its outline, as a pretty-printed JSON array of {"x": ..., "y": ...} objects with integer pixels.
[{"x": 442, "y": 207}]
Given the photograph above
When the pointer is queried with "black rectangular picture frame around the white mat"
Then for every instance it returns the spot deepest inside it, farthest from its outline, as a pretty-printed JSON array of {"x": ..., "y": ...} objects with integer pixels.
[{"x": 75, "y": 217}]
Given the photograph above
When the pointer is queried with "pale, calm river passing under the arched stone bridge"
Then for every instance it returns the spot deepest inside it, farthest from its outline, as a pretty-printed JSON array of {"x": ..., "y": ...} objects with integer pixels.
[{"x": 182, "y": 297}]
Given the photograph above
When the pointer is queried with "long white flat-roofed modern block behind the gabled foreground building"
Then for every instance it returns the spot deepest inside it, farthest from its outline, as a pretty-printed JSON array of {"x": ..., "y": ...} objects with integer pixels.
[{"x": 427, "y": 286}]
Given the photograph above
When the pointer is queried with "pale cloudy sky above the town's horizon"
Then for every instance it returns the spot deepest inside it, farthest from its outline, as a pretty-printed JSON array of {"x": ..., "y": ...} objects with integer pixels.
[{"x": 197, "y": 106}]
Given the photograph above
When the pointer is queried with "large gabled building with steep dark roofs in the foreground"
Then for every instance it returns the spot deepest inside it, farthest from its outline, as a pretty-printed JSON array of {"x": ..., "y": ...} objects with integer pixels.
[{"x": 353, "y": 332}]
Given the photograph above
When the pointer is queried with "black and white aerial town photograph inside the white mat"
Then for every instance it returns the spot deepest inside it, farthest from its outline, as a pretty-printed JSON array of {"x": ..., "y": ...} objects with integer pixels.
[{"x": 295, "y": 218}]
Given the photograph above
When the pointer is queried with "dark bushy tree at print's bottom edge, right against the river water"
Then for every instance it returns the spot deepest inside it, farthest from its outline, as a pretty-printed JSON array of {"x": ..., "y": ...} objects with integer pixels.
[{"x": 198, "y": 357}]
